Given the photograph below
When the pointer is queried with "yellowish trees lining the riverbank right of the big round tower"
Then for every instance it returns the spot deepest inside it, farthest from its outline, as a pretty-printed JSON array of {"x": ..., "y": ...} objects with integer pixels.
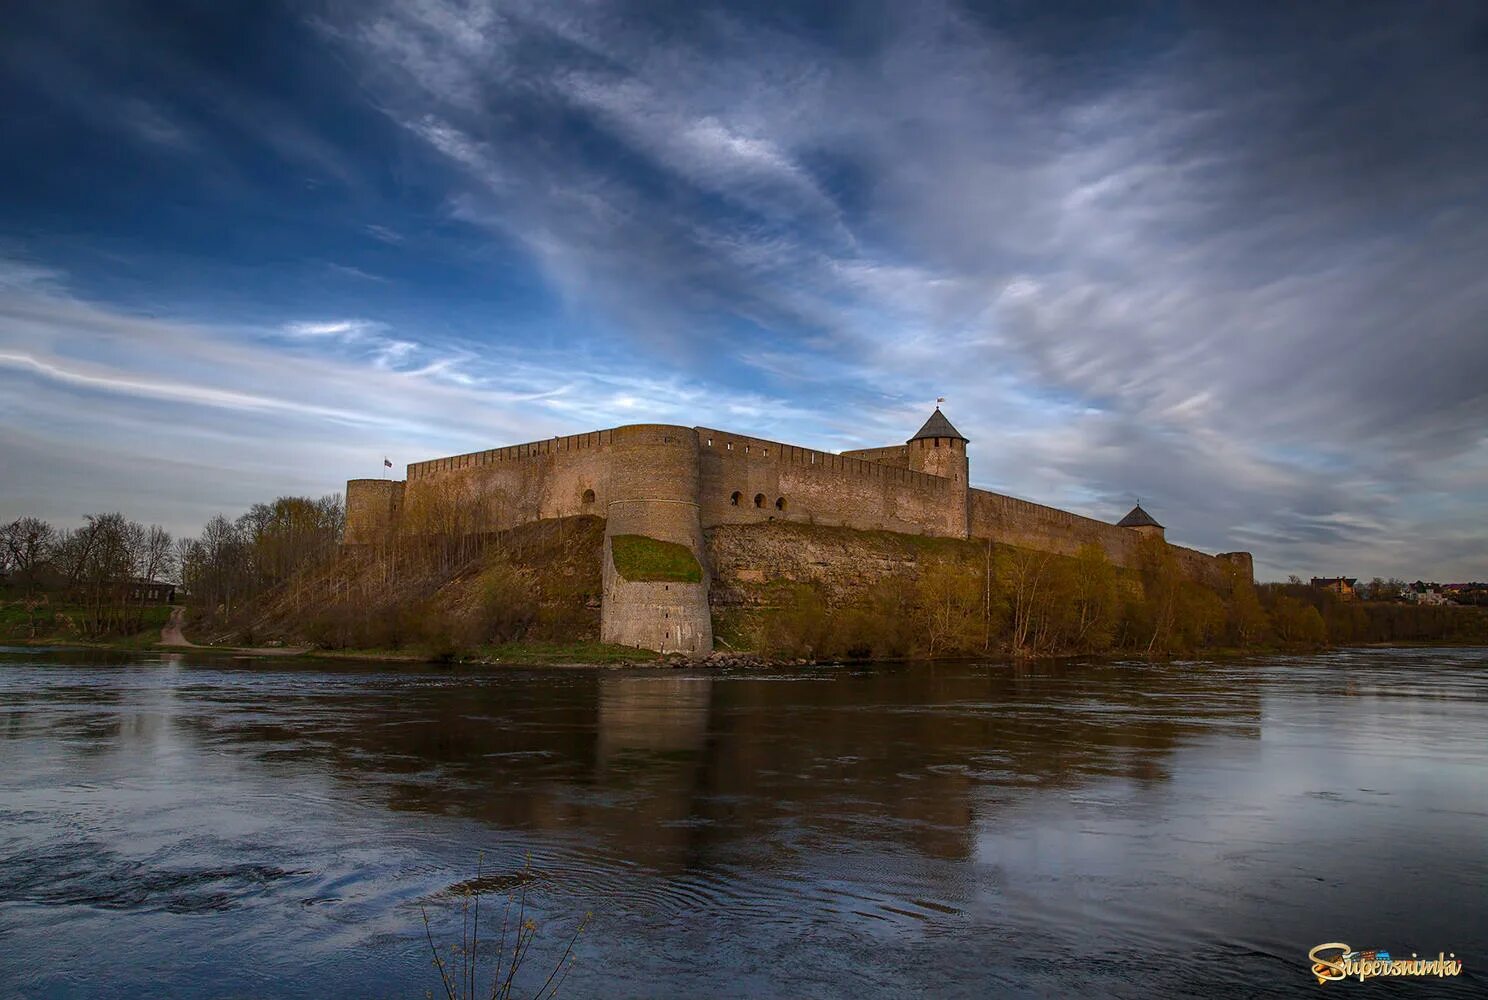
[{"x": 1026, "y": 603}]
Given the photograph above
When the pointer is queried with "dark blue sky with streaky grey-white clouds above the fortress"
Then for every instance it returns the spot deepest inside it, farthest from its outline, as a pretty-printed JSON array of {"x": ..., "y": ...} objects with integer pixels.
[{"x": 1225, "y": 258}]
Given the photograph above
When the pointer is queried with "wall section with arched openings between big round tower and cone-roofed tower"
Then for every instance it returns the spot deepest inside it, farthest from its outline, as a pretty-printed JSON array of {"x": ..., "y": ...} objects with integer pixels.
[{"x": 819, "y": 487}]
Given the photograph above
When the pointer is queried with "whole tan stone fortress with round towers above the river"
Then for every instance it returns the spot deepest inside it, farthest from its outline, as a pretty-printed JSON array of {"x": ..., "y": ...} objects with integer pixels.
[{"x": 673, "y": 484}]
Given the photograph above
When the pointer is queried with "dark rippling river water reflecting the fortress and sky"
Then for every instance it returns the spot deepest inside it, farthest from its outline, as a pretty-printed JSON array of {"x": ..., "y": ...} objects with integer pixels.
[{"x": 208, "y": 828}]
